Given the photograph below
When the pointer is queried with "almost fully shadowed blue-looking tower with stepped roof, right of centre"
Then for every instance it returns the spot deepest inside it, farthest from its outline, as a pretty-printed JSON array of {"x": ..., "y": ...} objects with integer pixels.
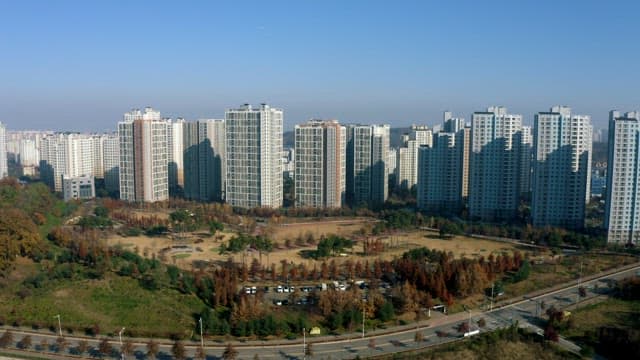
[{"x": 440, "y": 174}]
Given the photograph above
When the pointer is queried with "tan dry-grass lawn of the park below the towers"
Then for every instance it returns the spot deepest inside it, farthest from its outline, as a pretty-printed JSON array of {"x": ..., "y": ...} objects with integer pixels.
[{"x": 205, "y": 247}]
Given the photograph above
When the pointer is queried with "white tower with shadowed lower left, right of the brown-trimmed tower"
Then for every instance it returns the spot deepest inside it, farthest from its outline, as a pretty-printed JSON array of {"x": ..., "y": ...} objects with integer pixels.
[{"x": 367, "y": 172}]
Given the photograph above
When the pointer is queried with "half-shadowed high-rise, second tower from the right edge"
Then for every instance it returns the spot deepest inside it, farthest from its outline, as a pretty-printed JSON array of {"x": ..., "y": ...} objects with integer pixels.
[{"x": 562, "y": 168}]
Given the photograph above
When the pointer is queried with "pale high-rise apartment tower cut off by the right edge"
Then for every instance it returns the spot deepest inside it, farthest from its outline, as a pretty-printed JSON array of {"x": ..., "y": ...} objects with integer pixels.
[{"x": 622, "y": 213}]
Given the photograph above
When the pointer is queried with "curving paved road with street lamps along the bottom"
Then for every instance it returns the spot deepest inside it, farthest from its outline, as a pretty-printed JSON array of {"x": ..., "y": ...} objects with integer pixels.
[{"x": 526, "y": 311}]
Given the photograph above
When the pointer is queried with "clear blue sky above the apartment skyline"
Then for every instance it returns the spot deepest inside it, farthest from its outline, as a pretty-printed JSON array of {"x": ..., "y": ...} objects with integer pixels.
[{"x": 79, "y": 65}]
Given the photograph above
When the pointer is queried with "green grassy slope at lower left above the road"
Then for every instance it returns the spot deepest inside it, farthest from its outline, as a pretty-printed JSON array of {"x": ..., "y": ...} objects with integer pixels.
[{"x": 113, "y": 303}]
